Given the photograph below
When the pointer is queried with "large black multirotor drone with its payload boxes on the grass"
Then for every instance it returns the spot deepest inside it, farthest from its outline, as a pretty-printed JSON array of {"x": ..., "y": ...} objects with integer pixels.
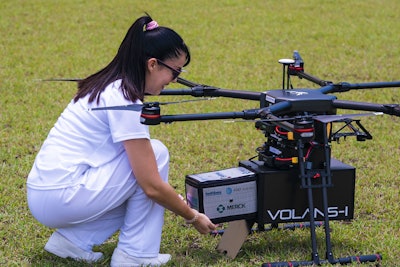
[{"x": 295, "y": 160}]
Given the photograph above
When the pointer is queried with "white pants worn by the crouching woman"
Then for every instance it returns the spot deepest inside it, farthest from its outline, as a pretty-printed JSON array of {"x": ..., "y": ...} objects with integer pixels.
[{"x": 107, "y": 200}]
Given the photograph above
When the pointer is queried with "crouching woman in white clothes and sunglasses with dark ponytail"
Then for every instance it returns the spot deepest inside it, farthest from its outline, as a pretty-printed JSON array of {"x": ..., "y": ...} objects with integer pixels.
[{"x": 99, "y": 172}]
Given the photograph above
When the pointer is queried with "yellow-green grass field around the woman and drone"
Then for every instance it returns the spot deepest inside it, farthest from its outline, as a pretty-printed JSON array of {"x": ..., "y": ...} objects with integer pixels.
[{"x": 235, "y": 45}]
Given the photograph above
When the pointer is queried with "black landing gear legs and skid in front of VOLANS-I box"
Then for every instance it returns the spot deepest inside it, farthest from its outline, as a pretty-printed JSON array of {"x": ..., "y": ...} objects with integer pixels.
[{"x": 306, "y": 176}]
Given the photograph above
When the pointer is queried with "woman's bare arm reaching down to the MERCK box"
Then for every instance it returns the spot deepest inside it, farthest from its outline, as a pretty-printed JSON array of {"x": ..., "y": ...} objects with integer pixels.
[{"x": 141, "y": 157}]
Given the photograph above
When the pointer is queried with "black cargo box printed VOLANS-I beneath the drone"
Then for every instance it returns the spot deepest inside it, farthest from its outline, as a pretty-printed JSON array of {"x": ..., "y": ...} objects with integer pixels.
[{"x": 281, "y": 199}]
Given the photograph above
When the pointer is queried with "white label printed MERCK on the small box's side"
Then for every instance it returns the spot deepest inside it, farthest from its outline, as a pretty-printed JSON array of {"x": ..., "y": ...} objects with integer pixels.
[{"x": 230, "y": 200}]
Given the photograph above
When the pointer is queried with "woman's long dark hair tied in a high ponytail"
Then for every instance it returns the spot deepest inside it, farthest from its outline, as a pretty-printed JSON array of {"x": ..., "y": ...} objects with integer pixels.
[{"x": 129, "y": 64}]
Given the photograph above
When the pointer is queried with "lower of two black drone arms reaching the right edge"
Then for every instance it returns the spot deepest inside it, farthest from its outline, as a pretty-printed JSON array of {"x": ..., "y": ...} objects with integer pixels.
[{"x": 390, "y": 109}]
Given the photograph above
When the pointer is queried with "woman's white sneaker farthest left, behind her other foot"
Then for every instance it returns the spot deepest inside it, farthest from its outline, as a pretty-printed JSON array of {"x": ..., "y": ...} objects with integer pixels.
[{"x": 62, "y": 247}]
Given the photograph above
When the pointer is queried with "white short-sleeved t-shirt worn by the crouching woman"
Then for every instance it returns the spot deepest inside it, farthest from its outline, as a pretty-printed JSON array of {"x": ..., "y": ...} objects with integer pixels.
[{"x": 83, "y": 139}]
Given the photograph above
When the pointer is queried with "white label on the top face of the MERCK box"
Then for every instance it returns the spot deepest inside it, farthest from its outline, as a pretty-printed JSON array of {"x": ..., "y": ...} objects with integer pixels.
[{"x": 222, "y": 174}]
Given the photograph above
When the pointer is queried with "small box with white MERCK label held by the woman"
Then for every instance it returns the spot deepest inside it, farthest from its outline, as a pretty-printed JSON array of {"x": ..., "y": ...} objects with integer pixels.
[{"x": 224, "y": 195}]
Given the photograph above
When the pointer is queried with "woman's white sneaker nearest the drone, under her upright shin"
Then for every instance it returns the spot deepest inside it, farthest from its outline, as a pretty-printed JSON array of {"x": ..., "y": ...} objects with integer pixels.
[{"x": 121, "y": 259}]
